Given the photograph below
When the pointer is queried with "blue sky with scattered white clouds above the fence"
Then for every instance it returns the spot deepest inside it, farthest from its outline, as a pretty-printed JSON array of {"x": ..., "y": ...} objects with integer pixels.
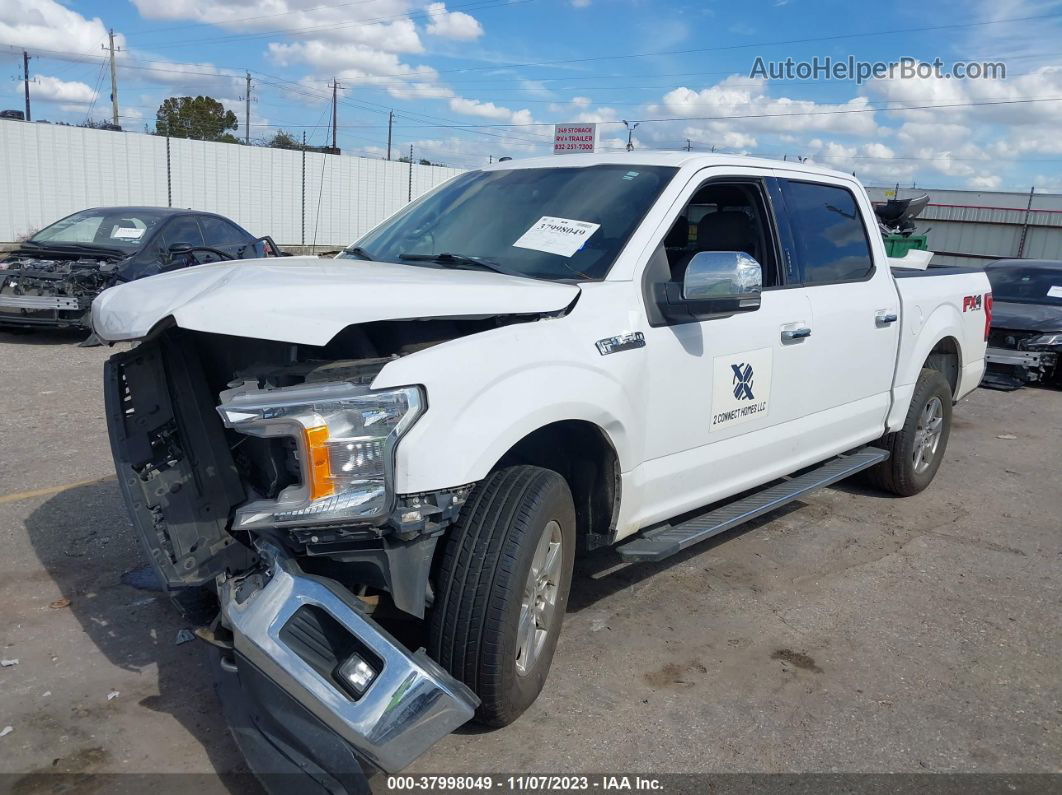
[{"x": 474, "y": 79}]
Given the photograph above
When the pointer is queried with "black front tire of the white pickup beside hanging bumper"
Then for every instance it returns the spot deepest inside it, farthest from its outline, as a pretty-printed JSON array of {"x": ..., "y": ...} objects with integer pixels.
[{"x": 482, "y": 582}]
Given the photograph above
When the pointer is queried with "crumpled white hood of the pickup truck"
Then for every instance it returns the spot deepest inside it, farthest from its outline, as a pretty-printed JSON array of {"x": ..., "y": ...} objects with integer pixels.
[{"x": 309, "y": 300}]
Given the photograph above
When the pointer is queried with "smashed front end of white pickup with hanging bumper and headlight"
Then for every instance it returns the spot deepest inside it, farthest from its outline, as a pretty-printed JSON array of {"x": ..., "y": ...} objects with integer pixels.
[{"x": 261, "y": 479}]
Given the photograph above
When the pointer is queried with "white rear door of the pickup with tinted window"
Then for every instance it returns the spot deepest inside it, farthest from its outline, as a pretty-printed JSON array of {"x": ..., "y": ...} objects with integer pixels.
[{"x": 854, "y": 306}]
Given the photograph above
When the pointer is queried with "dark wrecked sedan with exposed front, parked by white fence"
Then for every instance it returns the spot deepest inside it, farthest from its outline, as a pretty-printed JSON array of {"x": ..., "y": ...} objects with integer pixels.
[{"x": 52, "y": 279}]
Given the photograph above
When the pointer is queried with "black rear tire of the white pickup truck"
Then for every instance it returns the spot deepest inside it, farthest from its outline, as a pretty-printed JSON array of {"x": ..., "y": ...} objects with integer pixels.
[{"x": 900, "y": 475}]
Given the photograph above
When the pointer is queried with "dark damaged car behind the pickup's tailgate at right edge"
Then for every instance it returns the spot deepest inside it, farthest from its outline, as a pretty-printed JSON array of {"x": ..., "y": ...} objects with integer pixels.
[{"x": 1025, "y": 343}]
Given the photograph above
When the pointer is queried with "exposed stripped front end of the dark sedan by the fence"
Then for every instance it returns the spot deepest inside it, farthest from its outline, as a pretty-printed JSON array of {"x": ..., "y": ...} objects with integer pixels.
[{"x": 54, "y": 288}]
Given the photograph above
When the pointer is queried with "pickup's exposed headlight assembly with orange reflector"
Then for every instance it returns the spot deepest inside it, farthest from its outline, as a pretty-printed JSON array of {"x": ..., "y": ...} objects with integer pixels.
[{"x": 346, "y": 437}]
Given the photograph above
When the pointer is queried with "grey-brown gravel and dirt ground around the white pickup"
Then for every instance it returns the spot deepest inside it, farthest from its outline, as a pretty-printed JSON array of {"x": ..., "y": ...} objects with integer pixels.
[{"x": 852, "y": 632}]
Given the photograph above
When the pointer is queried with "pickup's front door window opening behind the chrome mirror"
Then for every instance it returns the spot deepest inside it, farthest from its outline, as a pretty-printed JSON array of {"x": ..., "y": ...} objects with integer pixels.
[{"x": 724, "y": 217}]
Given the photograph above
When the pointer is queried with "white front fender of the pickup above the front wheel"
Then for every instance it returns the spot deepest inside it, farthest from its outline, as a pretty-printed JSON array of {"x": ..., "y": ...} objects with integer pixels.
[{"x": 475, "y": 417}]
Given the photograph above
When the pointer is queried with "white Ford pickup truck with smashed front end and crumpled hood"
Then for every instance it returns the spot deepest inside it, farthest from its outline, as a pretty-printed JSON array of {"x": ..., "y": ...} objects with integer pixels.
[{"x": 536, "y": 359}]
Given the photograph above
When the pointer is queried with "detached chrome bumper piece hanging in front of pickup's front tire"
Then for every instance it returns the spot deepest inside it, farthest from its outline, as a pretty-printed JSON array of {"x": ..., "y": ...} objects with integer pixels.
[{"x": 410, "y": 705}]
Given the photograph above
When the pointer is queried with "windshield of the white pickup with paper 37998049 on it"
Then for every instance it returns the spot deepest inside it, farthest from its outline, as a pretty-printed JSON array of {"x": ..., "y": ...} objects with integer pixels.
[{"x": 554, "y": 223}]
